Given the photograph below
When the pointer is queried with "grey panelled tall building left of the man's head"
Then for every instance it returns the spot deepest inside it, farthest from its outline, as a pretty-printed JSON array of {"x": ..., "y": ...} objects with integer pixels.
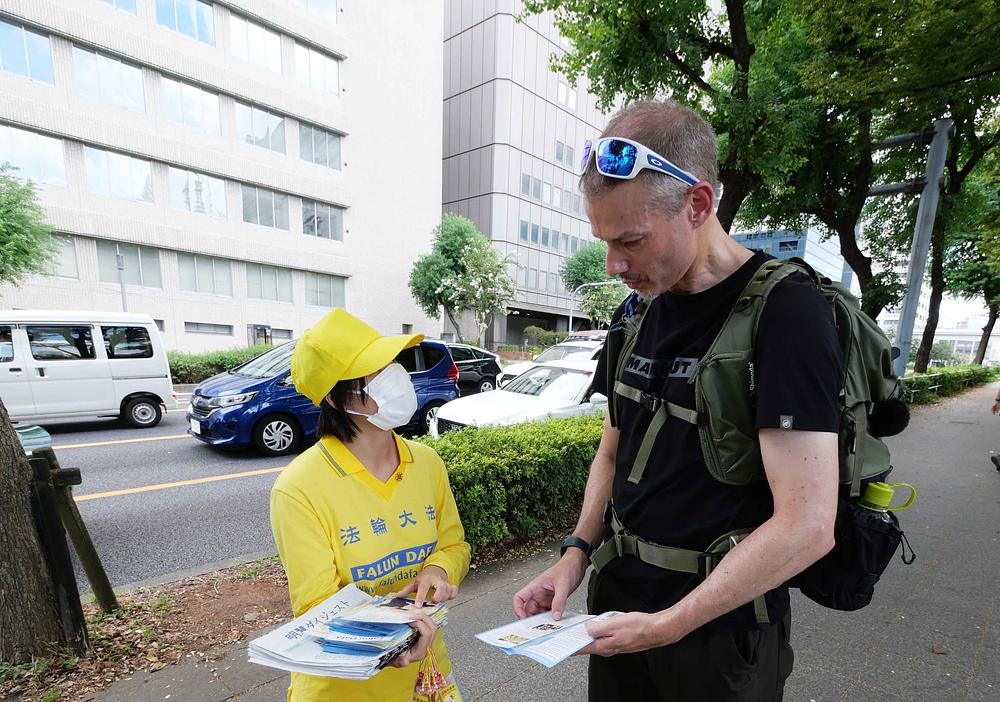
[{"x": 513, "y": 139}]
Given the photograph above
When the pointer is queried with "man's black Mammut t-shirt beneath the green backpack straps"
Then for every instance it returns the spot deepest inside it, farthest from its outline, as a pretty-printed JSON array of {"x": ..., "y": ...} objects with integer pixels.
[{"x": 798, "y": 369}]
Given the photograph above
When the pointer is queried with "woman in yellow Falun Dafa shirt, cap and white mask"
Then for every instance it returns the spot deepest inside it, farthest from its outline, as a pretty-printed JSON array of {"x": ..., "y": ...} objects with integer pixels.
[{"x": 363, "y": 505}]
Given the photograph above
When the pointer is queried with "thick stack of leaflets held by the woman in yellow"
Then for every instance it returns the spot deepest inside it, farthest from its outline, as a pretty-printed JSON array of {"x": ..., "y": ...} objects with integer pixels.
[{"x": 350, "y": 635}]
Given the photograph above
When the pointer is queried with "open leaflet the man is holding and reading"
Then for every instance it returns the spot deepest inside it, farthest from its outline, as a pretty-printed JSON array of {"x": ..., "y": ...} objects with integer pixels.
[{"x": 542, "y": 638}]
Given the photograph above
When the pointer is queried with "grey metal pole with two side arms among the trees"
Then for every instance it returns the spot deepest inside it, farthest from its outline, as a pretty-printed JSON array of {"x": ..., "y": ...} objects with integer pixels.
[{"x": 929, "y": 188}]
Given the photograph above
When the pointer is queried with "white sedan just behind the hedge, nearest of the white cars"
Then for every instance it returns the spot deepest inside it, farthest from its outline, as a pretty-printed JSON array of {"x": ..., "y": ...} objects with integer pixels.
[{"x": 554, "y": 389}]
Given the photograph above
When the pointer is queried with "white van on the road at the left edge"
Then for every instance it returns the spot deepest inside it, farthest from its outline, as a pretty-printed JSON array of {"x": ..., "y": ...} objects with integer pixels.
[{"x": 83, "y": 364}]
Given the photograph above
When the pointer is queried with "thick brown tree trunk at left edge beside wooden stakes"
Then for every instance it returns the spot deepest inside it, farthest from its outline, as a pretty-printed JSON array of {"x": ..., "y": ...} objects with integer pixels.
[{"x": 29, "y": 614}]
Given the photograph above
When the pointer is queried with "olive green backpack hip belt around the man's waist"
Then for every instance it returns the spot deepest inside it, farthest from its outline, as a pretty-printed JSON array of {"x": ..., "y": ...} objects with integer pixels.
[{"x": 679, "y": 560}]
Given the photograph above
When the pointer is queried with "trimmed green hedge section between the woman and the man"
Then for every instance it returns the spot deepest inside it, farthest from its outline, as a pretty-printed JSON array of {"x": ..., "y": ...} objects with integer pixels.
[{"x": 512, "y": 481}]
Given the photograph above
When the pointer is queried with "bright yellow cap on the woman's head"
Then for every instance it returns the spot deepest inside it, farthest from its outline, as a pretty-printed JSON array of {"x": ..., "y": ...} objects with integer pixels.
[{"x": 341, "y": 347}]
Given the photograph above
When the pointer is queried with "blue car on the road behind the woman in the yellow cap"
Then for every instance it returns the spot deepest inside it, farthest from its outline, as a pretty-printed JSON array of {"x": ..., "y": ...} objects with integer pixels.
[{"x": 256, "y": 404}]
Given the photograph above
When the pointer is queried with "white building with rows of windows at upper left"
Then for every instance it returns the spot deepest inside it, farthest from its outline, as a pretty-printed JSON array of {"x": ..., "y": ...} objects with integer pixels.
[{"x": 252, "y": 161}]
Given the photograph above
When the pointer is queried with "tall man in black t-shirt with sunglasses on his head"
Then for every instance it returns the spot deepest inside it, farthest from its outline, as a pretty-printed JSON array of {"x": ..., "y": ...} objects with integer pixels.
[{"x": 685, "y": 636}]
